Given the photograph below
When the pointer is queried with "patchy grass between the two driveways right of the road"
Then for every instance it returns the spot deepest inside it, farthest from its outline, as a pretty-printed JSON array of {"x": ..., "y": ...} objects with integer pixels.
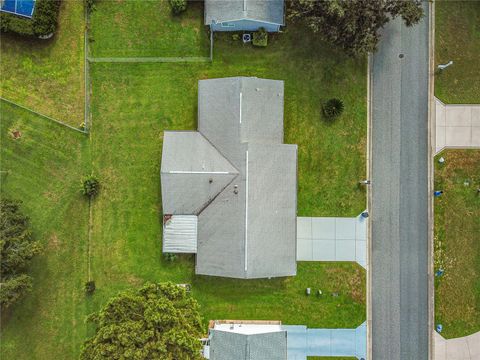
[{"x": 457, "y": 245}]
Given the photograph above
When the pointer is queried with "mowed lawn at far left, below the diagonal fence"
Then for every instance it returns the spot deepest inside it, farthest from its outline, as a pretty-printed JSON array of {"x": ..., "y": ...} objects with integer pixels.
[{"x": 43, "y": 169}]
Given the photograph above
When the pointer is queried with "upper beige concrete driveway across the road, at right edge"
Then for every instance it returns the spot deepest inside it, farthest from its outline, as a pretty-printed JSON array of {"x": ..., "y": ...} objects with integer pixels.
[{"x": 456, "y": 126}]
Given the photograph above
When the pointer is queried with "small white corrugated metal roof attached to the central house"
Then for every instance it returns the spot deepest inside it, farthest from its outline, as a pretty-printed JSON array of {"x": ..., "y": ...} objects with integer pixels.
[{"x": 180, "y": 234}]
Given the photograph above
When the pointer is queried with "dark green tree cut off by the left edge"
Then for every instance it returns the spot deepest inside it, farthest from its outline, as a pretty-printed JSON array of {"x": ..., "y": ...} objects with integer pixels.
[{"x": 17, "y": 249}]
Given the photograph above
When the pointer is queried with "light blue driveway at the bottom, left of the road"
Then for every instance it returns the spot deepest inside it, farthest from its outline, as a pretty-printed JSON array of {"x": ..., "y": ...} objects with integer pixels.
[{"x": 303, "y": 342}]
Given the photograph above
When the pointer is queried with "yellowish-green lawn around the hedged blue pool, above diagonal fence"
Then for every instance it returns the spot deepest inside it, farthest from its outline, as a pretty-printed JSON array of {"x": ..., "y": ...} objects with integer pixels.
[{"x": 47, "y": 76}]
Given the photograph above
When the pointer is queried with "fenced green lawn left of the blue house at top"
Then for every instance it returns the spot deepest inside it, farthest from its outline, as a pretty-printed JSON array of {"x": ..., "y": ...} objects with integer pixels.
[{"x": 133, "y": 28}]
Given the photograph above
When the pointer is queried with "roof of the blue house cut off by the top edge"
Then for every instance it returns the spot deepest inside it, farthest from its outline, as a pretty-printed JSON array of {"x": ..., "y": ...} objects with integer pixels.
[{"x": 271, "y": 11}]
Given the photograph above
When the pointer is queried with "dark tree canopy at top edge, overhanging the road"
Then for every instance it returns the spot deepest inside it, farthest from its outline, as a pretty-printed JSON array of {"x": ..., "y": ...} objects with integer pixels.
[{"x": 353, "y": 24}]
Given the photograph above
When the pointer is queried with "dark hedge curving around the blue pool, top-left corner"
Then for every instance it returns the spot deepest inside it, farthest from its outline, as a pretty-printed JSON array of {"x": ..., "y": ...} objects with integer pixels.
[{"x": 43, "y": 22}]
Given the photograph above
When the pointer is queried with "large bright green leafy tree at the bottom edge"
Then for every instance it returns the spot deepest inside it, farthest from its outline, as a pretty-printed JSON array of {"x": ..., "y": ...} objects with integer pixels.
[{"x": 159, "y": 321}]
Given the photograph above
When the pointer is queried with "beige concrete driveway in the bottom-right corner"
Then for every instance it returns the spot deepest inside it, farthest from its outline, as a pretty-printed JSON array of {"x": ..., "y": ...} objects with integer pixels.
[{"x": 464, "y": 348}]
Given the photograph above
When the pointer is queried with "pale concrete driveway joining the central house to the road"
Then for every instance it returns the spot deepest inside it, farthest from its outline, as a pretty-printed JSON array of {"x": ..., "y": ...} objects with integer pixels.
[{"x": 332, "y": 239}]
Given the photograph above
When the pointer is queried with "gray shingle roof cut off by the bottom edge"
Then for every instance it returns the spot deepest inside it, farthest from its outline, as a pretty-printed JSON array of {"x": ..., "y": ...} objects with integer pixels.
[{"x": 233, "y": 346}]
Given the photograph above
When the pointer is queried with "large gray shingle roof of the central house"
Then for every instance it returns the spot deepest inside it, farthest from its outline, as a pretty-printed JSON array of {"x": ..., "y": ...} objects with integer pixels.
[{"x": 238, "y": 178}]
